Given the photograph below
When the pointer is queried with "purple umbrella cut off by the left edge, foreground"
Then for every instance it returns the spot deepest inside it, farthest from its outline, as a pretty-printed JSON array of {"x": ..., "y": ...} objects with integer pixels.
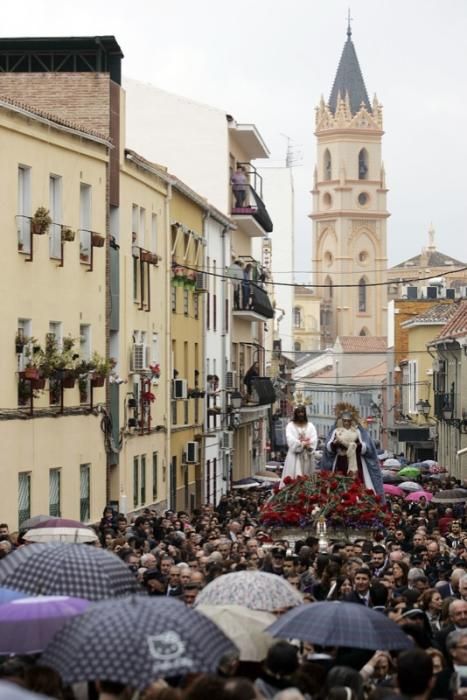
[{"x": 28, "y": 625}]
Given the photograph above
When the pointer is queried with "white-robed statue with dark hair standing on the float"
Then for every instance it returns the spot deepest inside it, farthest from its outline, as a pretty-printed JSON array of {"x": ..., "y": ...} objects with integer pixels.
[{"x": 302, "y": 439}]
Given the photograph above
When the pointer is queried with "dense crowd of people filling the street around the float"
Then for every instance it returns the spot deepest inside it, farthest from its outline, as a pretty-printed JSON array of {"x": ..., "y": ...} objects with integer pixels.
[{"x": 414, "y": 572}]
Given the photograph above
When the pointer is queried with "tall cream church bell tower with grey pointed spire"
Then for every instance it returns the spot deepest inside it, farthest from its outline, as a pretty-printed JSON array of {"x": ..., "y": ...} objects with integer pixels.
[{"x": 349, "y": 215}]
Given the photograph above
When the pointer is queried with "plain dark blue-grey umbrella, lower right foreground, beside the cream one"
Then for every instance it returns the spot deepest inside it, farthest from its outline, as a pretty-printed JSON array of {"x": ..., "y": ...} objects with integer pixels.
[{"x": 340, "y": 624}]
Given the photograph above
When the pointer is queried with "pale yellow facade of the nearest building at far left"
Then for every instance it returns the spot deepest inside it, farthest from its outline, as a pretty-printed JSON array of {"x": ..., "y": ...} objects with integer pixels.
[{"x": 53, "y": 455}]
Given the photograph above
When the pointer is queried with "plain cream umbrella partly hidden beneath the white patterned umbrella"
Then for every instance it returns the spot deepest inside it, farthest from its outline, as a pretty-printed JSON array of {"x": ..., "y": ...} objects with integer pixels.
[{"x": 244, "y": 627}]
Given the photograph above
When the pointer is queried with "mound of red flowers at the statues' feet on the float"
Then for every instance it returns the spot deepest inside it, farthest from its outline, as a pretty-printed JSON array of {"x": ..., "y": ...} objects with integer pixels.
[{"x": 341, "y": 502}]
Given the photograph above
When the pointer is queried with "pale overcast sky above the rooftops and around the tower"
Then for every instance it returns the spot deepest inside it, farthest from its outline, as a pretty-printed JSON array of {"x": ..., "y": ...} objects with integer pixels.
[{"x": 268, "y": 62}]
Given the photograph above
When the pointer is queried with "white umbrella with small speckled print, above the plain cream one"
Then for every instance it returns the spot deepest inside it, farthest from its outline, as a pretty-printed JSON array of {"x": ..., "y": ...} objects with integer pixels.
[{"x": 257, "y": 590}]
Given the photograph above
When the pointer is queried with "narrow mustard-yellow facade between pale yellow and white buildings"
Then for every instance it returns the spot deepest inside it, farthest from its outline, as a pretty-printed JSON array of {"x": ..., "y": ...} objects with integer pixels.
[{"x": 186, "y": 336}]
